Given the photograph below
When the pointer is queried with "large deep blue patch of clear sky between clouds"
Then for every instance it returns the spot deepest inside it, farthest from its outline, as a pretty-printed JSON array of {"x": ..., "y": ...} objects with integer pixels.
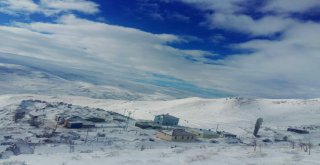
[{"x": 171, "y": 17}]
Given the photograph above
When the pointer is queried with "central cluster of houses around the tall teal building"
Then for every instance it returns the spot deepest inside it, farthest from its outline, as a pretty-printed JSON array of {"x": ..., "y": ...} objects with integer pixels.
[{"x": 169, "y": 130}]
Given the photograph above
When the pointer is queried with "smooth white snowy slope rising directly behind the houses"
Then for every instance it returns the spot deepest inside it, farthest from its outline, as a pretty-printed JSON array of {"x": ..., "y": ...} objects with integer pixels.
[{"x": 231, "y": 114}]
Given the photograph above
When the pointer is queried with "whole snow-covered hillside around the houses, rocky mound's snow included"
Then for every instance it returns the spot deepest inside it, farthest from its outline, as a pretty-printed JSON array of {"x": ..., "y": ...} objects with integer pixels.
[{"x": 138, "y": 146}]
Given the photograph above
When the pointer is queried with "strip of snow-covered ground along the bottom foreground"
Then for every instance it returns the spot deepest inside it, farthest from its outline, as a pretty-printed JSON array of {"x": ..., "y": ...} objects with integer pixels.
[{"x": 213, "y": 155}]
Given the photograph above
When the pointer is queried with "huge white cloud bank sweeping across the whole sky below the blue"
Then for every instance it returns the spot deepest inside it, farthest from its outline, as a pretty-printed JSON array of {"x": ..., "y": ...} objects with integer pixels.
[{"x": 286, "y": 68}]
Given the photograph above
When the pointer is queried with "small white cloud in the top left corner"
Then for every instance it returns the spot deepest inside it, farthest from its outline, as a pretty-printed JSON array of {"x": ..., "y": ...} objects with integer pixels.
[{"x": 47, "y": 7}]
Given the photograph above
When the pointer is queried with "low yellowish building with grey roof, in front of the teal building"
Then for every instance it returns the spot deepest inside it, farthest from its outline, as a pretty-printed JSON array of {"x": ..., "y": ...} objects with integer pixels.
[{"x": 176, "y": 135}]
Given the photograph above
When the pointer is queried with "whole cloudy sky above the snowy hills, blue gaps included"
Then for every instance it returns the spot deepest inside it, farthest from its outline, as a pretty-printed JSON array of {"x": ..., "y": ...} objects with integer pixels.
[{"x": 214, "y": 48}]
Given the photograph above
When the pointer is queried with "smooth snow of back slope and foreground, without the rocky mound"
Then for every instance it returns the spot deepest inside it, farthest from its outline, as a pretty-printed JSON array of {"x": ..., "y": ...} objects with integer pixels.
[{"x": 235, "y": 115}]
